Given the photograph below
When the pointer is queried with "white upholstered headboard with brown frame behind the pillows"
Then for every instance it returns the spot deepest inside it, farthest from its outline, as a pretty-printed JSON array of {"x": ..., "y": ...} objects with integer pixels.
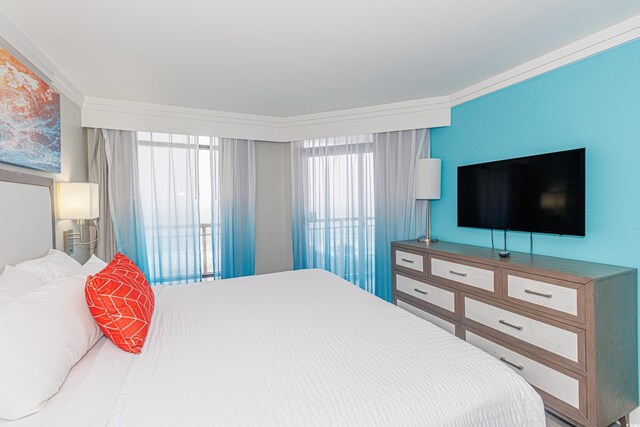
[{"x": 26, "y": 217}]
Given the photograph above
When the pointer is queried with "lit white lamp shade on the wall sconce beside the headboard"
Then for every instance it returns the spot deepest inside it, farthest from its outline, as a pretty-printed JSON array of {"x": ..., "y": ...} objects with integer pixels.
[{"x": 78, "y": 200}]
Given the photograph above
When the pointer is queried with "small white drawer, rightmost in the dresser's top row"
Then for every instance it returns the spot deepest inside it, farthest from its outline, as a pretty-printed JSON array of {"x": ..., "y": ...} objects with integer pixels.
[{"x": 555, "y": 297}]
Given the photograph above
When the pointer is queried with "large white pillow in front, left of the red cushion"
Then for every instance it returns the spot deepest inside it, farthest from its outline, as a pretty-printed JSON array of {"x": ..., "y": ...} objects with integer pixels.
[{"x": 42, "y": 335}]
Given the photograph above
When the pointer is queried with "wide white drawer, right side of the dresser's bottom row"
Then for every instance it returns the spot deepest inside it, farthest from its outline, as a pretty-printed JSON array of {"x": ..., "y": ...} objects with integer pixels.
[{"x": 553, "y": 382}]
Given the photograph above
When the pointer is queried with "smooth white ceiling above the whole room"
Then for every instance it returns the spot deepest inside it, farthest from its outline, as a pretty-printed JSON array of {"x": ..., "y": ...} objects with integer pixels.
[{"x": 291, "y": 57}]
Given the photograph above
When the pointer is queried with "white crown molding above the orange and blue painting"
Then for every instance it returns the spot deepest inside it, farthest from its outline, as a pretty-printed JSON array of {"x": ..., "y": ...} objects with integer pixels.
[{"x": 19, "y": 43}]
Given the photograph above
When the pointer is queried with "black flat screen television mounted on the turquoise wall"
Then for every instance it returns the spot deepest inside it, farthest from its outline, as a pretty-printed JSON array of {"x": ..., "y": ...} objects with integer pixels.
[{"x": 540, "y": 194}]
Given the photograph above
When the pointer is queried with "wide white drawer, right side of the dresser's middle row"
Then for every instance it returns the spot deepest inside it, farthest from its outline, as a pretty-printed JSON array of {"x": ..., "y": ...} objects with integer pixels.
[{"x": 548, "y": 337}]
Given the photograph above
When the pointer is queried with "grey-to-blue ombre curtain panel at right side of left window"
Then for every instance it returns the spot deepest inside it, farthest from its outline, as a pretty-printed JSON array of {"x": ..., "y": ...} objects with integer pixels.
[{"x": 237, "y": 207}]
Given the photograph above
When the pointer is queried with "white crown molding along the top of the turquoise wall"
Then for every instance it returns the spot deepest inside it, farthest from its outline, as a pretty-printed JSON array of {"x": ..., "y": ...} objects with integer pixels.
[{"x": 603, "y": 40}]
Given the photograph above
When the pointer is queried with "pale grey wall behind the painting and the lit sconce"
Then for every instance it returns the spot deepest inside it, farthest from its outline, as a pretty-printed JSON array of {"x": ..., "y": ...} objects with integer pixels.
[{"x": 74, "y": 163}]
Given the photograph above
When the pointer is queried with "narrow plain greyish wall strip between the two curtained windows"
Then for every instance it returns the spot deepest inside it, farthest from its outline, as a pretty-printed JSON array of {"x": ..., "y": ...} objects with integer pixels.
[{"x": 273, "y": 207}]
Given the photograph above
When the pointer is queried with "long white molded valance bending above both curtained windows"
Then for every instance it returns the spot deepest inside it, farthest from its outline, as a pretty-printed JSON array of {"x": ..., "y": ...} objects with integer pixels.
[{"x": 130, "y": 115}]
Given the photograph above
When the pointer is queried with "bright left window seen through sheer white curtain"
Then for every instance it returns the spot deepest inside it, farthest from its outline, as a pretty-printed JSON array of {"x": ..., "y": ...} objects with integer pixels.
[{"x": 194, "y": 164}]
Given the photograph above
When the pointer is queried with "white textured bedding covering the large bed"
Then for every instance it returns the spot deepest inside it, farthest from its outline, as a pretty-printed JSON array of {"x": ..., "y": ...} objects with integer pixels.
[{"x": 294, "y": 348}]
